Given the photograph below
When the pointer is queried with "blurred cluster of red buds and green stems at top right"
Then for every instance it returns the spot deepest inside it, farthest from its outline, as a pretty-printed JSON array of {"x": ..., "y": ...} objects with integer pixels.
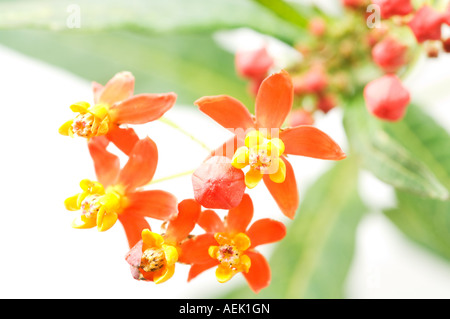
[{"x": 368, "y": 50}]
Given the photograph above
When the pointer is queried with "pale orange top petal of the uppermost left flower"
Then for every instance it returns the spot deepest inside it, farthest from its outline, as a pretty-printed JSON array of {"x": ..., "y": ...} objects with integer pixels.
[{"x": 119, "y": 88}]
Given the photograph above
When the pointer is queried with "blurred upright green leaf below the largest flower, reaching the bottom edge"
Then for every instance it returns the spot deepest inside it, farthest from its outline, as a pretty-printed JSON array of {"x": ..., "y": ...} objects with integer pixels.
[{"x": 313, "y": 260}]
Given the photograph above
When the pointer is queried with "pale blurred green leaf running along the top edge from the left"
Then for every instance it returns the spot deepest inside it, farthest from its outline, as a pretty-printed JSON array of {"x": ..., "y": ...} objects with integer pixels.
[{"x": 151, "y": 16}]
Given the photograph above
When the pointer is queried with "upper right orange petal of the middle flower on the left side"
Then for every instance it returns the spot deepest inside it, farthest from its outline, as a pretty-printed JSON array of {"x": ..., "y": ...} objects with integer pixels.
[{"x": 141, "y": 165}]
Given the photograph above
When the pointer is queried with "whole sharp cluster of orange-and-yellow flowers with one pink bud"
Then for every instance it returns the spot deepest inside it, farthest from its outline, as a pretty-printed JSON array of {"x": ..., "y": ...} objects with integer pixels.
[{"x": 260, "y": 147}]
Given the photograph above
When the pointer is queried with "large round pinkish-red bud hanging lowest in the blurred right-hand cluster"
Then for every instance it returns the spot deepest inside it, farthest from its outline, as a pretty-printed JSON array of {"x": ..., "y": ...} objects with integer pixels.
[{"x": 386, "y": 98}]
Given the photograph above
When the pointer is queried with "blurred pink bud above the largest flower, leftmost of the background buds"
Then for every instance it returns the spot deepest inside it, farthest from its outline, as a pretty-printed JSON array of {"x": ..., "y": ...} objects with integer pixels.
[{"x": 253, "y": 64}]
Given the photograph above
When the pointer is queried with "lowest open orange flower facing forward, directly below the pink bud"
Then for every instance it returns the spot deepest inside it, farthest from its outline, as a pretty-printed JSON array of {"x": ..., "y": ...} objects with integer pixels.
[{"x": 230, "y": 245}]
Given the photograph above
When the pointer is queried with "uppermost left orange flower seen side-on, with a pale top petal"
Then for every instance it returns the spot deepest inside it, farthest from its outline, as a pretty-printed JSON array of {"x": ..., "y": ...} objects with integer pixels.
[{"x": 115, "y": 104}]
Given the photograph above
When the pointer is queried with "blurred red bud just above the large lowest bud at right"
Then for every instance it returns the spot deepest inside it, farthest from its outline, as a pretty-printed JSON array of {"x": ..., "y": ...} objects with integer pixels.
[{"x": 389, "y": 54}]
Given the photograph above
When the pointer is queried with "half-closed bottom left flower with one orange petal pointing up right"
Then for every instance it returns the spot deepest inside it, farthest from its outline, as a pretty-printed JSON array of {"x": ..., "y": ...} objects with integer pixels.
[{"x": 153, "y": 258}]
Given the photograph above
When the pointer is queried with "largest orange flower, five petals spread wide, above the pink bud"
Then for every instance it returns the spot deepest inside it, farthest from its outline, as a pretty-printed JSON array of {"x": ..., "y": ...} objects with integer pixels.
[{"x": 261, "y": 144}]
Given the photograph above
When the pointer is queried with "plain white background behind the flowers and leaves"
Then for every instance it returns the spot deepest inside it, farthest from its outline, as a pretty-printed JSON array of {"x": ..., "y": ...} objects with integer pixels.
[{"x": 43, "y": 257}]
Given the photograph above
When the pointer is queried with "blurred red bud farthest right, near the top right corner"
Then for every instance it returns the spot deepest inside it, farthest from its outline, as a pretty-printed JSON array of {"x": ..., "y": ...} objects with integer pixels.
[{"x": 426, "y": 24}]
